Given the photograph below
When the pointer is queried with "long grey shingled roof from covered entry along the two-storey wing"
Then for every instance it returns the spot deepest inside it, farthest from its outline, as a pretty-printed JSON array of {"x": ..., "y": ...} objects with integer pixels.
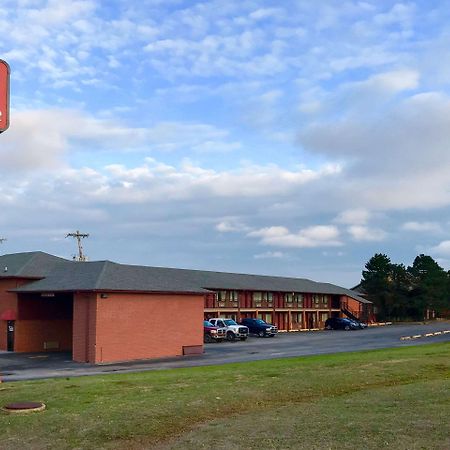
[{"x": 109, "y": 276}]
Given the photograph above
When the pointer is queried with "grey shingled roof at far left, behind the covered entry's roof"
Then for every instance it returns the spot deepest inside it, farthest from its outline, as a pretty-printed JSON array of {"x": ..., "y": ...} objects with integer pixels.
[{"x": 28, "y": 265}]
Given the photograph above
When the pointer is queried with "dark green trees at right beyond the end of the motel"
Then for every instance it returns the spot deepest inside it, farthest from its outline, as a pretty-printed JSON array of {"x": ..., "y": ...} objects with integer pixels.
[{"x": 417, "y": 292}]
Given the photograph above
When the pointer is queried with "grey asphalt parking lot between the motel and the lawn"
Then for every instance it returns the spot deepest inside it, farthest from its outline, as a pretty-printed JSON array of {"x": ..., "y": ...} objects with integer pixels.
[{"x": 19, "y": 366}]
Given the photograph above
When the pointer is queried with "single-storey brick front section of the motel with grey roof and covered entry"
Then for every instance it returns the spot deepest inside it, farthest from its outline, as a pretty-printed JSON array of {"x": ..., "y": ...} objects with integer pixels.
[{"x": 100, "y": 311}]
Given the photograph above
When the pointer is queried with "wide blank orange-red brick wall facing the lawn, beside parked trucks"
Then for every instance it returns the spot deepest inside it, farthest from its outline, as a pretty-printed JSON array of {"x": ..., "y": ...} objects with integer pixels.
[{"x": 141, "y": 326}]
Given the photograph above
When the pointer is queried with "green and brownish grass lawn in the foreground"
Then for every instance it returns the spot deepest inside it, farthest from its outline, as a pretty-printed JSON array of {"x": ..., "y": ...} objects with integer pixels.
[{"x": 396, "y": 398}]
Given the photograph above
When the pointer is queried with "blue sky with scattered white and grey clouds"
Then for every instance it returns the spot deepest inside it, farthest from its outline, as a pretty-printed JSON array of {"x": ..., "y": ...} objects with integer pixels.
[{"x": 290, "y": 138}]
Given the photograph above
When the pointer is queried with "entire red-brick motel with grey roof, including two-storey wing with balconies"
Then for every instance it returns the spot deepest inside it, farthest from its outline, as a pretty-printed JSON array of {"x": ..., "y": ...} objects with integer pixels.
[{"x": 103, "y": 312}]
